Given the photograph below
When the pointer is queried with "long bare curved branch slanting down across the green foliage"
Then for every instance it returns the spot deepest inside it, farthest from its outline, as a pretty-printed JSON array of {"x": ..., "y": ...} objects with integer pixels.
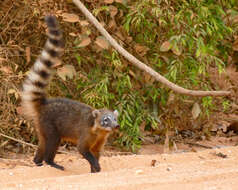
[{"x": 141, "y": 65}]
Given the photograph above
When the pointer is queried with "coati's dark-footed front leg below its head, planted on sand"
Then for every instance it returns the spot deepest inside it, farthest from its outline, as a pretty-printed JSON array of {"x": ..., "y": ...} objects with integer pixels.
[{"x": 84, "y": 149}]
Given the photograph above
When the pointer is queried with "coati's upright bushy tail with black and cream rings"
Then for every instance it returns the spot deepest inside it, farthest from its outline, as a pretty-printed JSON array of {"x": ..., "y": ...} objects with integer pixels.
[{"x": 33, "y": 94}]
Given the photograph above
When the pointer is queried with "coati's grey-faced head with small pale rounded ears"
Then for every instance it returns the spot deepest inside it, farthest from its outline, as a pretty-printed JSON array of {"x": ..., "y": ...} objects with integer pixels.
[{"x": 106, "y": 119}]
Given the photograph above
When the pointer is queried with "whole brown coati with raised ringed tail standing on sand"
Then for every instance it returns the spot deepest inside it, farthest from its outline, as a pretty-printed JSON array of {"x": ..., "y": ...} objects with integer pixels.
[{"x": 60, "y": 118}]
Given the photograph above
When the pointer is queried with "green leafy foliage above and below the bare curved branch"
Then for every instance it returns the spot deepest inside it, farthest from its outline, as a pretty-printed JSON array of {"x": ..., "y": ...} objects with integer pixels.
[{"x": 181, "y": 39}]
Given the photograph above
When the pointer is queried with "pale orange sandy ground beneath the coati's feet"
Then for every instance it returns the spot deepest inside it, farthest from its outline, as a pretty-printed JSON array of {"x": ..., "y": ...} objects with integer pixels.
[{"x": 202, "y": 169}]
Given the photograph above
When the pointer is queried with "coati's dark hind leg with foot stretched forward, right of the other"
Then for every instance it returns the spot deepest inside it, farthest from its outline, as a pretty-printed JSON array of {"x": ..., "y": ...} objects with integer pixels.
[{"x": 51, "y": 146}]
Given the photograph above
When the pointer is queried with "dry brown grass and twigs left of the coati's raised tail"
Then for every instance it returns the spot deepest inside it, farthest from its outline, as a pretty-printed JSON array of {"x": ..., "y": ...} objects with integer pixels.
[{"x": 21, "y": 29}]
